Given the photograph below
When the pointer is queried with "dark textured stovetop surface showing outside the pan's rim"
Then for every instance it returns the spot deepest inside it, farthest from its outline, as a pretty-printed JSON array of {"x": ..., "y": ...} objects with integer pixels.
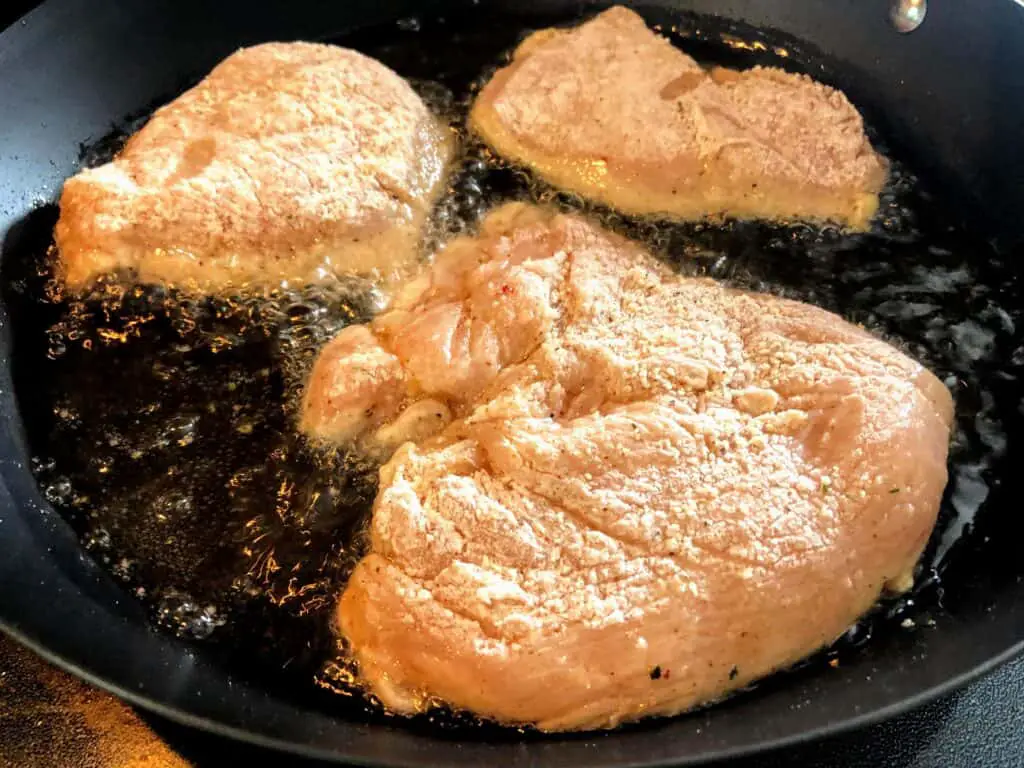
[{"x": 983, "y": 726}]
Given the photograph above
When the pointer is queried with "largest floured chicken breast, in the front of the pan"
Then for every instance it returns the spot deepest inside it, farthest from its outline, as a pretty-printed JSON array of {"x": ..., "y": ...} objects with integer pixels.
[{"x": 628, "y": 493}]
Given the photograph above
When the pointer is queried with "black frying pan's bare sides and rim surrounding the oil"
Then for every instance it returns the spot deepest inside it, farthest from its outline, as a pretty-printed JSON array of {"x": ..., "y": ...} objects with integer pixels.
[{"x": 949, "y": 99}]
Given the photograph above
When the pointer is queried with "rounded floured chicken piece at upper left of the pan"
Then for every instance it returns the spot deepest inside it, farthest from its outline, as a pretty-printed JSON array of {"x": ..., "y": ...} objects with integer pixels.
[{"x": 289, "y": 162}]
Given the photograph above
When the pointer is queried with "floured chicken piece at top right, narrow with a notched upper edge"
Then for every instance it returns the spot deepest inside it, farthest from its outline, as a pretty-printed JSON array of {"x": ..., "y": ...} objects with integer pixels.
[{"x": 616, "y": 113}]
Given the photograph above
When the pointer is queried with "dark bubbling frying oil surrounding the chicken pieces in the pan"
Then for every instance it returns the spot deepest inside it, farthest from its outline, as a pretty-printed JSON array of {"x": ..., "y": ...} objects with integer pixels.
[{"x": 162, "y": 426}]
